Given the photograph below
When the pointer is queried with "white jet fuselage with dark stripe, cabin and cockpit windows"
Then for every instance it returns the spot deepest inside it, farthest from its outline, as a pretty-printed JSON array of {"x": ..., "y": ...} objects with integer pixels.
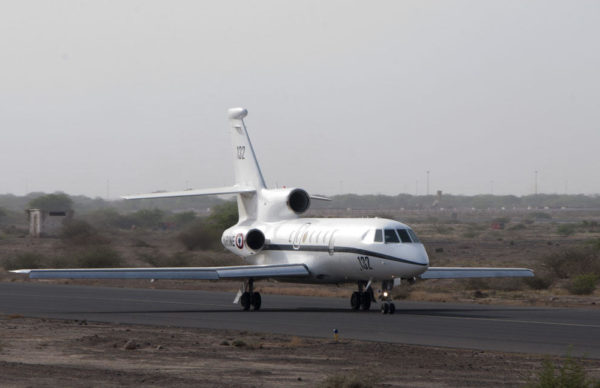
[{"x": 334, "y": 250}]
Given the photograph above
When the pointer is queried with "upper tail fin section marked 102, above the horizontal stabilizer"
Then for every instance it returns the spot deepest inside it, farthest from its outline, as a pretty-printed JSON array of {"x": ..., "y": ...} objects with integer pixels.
[{"x": 247, "y": 170}]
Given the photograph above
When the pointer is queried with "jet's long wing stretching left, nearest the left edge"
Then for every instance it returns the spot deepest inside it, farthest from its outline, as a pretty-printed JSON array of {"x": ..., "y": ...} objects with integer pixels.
[{"x": 196, "y": 273}]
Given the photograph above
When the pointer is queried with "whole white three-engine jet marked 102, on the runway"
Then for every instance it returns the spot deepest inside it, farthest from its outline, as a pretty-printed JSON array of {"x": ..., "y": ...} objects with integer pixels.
[{"x": 277, "y": 244}]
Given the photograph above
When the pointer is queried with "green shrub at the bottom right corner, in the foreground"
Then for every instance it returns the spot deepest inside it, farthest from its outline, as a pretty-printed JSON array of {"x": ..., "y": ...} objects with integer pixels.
[{"x": 570, "y": 374}]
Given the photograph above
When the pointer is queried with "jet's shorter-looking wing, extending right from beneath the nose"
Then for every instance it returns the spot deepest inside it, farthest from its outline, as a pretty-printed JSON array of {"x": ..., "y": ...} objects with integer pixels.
[{"x": 475, "y": 272}]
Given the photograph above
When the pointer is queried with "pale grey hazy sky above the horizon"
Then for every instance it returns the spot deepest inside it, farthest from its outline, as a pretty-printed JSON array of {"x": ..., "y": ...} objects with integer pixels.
[{"x": 344, "y": 96}]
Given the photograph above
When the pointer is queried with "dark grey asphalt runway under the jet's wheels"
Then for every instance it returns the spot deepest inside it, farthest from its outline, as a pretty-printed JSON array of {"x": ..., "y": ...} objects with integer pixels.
[{"x": 555, "y": 331}]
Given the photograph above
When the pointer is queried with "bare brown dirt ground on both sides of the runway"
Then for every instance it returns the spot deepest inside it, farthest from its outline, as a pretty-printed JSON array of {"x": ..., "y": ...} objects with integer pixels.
[{"x": 41, "y": 352}]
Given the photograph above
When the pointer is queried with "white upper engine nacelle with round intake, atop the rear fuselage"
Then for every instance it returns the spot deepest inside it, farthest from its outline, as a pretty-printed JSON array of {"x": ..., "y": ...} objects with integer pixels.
[{"x": 283, "y": 203}]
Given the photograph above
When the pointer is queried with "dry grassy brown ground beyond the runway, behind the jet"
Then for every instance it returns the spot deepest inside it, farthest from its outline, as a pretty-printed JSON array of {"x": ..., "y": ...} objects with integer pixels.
[{"x": 466, "y": 240}]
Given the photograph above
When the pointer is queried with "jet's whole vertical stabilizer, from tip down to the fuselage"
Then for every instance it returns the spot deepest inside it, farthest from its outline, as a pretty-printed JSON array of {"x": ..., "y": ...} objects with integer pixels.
[{"x": 246, "y": 168}]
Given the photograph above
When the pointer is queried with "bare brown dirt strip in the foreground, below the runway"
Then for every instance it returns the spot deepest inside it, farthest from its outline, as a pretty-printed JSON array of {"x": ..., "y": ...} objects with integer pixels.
[{"x": 44, "y": 353}]
